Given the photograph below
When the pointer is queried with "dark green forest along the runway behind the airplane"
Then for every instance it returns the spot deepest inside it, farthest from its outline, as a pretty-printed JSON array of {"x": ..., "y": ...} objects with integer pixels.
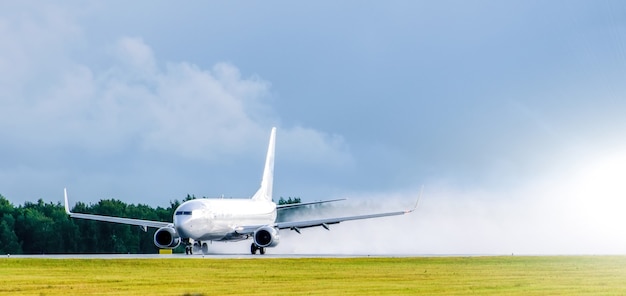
[{"x": 45, "y": 228}]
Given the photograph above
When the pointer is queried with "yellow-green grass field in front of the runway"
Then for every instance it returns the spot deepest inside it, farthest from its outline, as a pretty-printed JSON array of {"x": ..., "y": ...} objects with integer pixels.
[{"x": 576, "y": 275}]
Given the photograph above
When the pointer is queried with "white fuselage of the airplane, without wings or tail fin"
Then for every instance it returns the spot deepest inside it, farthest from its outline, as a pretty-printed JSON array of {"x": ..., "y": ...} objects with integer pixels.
[{"x": 215, "y": 219}]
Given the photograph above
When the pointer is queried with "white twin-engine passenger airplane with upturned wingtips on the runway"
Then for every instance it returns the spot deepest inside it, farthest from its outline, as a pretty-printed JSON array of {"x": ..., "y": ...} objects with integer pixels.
[{"x": 198, "y": 221}]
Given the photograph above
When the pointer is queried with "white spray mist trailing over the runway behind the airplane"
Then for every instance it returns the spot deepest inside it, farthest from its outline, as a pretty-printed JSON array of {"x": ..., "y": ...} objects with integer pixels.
[{"x": 574, "y": 208}]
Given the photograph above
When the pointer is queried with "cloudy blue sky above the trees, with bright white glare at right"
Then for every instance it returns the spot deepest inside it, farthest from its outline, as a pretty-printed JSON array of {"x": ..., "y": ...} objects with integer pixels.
[{"x": 510, "y": 113}]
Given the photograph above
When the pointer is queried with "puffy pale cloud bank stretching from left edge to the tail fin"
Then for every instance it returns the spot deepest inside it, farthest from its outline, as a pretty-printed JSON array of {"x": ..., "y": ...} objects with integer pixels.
[{"x": 176, "y": 108}]
